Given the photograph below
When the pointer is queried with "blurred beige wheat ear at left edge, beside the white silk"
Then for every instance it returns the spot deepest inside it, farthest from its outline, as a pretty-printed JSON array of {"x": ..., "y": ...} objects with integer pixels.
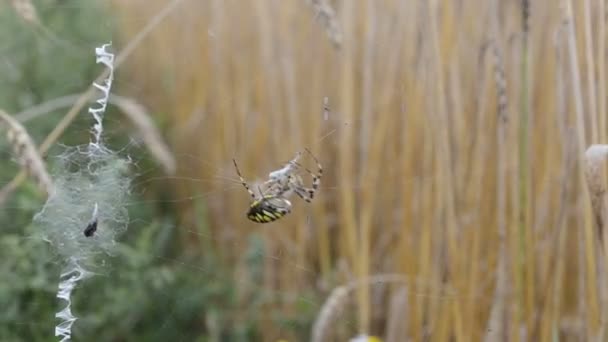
[{"x": 26, "y": 153}]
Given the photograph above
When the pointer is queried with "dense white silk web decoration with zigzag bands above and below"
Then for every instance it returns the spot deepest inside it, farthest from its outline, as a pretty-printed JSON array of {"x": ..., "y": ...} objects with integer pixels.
[{"x": 86, "y": 210}]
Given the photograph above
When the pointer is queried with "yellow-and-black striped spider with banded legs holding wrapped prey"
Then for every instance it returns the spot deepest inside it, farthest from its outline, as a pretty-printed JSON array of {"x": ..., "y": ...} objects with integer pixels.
[{"x": 272, "y": 203}]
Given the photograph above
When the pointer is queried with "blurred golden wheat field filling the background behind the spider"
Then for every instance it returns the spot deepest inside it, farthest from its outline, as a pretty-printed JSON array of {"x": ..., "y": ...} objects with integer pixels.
[{"x": 453, "y": 205}]
